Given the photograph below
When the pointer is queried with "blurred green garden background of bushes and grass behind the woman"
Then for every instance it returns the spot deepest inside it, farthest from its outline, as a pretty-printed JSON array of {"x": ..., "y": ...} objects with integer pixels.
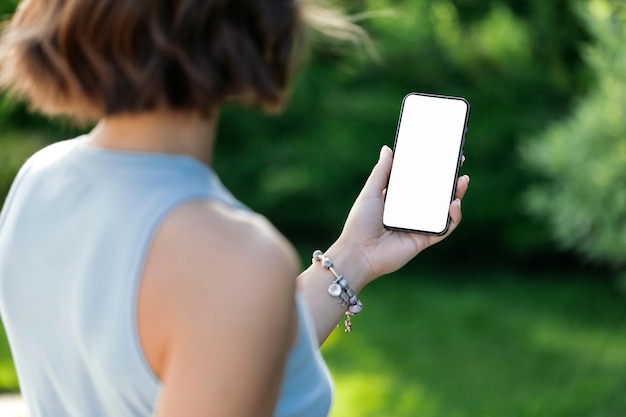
[{"x": 520, "y": 312}]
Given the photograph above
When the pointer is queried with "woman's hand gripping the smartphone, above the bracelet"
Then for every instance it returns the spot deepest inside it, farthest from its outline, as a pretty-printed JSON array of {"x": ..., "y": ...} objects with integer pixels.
[{"x": 383, "y": 250}]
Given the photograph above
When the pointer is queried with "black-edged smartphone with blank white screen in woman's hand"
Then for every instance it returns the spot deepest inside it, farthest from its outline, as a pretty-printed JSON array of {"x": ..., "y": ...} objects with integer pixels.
[{"x": 426, "y": 159}]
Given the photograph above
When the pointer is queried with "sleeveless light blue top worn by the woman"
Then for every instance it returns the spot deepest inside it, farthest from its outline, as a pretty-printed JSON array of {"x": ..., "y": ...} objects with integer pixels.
[{"x": 74, "y": 234}]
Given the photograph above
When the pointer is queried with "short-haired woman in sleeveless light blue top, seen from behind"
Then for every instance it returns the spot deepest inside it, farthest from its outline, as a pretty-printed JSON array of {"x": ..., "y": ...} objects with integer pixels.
[{"x": 131, "y": 282}]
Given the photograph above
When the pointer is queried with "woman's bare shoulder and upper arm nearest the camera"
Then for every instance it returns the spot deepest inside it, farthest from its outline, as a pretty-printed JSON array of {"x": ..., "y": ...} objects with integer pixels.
[{"x": 216, "y": 312}]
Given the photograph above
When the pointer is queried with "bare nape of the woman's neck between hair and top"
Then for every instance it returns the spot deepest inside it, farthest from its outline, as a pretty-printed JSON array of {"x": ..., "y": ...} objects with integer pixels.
[{"x": 159, "y": 132}]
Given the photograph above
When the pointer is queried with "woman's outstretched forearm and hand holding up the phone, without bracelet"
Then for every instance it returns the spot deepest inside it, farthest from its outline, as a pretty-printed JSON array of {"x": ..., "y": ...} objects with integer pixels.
[{"x": 366, "y": 250}]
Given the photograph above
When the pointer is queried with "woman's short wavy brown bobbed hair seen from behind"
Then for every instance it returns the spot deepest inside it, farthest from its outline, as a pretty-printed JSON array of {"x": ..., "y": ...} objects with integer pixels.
[{"x": 95, "y": 58}]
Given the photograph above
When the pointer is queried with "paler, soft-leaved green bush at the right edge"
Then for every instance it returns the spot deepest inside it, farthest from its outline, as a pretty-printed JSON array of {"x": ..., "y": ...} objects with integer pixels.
[{"x": 581, "y": 160}]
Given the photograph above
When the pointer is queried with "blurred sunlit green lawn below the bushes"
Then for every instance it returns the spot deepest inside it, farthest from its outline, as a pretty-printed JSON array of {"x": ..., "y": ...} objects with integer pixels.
[{"x": 436, "y": 345}]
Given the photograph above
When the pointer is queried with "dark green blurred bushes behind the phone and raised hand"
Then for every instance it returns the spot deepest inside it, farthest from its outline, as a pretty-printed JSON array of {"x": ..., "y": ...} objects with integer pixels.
[{"x": 516, "y": 61}]
